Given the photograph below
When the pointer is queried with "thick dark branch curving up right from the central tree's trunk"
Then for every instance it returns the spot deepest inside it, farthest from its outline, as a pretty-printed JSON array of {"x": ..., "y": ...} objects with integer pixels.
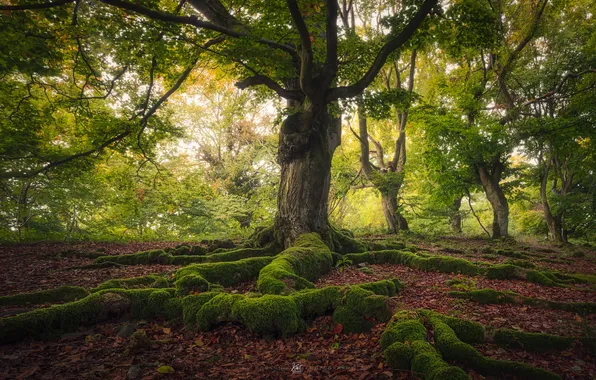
[{"x": 391, "y": 46}]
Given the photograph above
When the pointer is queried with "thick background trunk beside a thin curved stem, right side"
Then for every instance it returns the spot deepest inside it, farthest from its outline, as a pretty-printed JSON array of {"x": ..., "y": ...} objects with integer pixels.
[{"x": 497, "y": 199}]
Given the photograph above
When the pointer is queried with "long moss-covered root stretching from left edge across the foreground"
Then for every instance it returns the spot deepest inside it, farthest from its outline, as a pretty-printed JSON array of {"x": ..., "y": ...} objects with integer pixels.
[{"x": 270, "y": 315}]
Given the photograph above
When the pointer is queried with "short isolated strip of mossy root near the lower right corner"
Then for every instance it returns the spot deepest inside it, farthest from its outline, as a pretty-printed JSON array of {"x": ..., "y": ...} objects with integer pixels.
[{"x": 531, "y": 341}]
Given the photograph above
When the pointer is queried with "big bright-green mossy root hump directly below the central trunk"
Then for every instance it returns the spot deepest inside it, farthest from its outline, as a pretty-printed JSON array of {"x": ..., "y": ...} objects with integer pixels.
[{"x": 296, "y": 267}]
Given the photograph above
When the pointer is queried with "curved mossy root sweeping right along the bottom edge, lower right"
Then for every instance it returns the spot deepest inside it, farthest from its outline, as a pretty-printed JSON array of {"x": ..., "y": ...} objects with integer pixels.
[{"x": 454, "y": 349}]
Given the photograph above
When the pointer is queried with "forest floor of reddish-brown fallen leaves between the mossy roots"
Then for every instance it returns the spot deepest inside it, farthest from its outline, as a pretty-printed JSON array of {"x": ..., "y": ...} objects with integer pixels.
[{"x": 323, "y": 351}]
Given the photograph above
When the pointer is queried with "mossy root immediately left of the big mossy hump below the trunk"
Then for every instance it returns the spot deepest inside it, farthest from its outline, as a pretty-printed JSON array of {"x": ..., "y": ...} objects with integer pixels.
[{"x": 226, "y": 273}]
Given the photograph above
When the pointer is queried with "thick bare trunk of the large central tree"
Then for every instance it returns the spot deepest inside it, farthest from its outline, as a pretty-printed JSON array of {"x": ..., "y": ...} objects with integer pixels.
[{"x": 307, "y": 141}]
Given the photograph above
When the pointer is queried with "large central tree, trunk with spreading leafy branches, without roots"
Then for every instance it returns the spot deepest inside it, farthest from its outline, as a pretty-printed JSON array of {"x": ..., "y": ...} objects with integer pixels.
[{"x": 291, "y": 47}]
